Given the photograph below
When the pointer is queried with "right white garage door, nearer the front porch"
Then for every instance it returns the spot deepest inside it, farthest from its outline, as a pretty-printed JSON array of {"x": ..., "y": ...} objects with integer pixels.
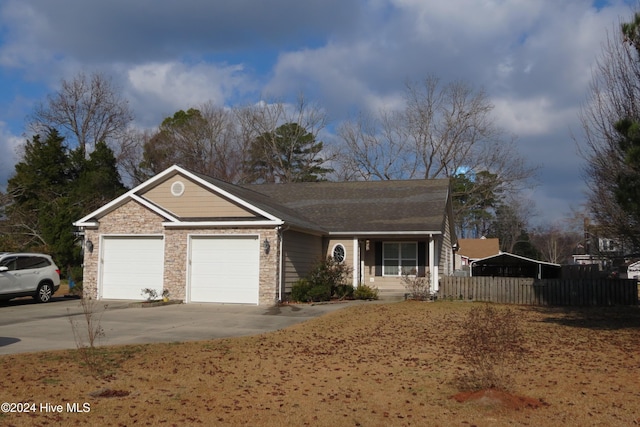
[{"x": 224, "y": 269}]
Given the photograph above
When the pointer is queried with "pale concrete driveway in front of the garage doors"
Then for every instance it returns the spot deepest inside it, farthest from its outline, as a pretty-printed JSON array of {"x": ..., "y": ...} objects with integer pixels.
[{"x": 29, "y": 327}]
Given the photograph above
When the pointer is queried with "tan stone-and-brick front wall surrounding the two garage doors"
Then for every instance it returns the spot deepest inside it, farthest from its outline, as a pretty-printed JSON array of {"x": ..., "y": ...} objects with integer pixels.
[{"x": 133, "y": 219}]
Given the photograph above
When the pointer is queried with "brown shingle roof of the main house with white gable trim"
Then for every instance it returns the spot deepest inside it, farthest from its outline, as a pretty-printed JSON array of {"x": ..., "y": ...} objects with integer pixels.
[{"x": 364, "y": 207}]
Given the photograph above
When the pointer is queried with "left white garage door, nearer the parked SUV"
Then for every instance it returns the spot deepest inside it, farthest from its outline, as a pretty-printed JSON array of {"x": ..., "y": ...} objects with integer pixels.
[{"x": 130, "y": 264}]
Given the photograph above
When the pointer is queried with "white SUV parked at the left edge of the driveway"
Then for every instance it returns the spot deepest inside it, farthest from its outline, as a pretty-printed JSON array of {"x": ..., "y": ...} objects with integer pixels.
[{"x": 25, "y": 274}]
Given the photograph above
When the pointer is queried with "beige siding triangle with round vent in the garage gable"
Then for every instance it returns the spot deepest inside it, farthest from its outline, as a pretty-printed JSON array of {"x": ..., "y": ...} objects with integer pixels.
[{"x": 195, "y": 202}]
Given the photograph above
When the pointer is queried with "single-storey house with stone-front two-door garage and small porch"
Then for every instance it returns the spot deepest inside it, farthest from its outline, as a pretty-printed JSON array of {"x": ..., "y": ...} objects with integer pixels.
[{"x": 205, "y": 240}]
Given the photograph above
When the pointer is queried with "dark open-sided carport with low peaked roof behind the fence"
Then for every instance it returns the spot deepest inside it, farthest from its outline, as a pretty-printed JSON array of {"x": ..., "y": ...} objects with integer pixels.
[{"x": 511, "y": 265}]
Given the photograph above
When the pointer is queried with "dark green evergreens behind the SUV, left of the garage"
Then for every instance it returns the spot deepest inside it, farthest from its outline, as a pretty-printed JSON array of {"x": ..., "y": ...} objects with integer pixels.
[{"x": 52, "y": 187}]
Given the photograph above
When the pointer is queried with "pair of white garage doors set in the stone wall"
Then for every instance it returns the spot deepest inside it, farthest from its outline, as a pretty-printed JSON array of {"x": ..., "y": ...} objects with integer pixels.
[{"x": 220, "y": 269}]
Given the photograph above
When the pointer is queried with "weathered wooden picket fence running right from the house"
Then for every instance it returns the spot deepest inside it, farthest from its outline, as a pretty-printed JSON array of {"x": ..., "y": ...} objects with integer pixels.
[{"x": 511, "y": 290}]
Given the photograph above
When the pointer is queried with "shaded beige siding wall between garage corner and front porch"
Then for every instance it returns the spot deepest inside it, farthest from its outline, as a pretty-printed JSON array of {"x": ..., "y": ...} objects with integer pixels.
[{"x": 301, "y": 252}]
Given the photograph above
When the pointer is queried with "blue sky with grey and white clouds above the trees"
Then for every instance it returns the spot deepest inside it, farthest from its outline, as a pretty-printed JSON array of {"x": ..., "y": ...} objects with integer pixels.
[{"x": 533, "y": 58}]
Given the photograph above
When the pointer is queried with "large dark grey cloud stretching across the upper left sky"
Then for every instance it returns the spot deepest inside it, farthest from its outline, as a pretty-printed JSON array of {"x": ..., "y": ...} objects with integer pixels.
[{"x": 147, "y": 31}]
